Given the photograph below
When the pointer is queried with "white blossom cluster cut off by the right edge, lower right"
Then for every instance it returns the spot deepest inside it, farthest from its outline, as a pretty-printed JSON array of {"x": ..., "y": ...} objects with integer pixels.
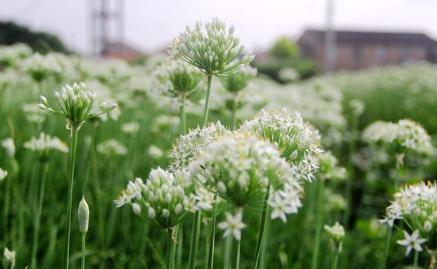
[{"x": 416, "y": 205}]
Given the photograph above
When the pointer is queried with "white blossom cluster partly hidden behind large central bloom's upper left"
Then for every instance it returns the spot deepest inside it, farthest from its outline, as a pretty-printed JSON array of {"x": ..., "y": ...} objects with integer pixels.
[{"x": 187, "y": 146}]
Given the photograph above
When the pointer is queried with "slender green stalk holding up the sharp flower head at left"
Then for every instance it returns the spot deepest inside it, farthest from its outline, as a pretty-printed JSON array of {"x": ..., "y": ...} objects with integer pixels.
[{"x": 73, "y": 143}]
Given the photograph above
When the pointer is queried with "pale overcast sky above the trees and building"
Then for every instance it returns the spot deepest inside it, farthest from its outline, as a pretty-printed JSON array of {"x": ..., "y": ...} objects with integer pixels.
[{"x": 151, "y": 24}]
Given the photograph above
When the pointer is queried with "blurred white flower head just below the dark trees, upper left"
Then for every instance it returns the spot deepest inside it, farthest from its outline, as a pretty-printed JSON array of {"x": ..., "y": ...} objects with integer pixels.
[{"x": 40, "y": 67}]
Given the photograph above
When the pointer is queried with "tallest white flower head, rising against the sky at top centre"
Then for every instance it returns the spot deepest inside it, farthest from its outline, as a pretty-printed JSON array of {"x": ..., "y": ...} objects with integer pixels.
[{"x": 211, "y": 47}]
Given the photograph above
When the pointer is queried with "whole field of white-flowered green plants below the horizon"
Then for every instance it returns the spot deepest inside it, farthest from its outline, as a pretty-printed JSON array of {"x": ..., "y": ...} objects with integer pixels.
[{"x": 194, "y": 160}]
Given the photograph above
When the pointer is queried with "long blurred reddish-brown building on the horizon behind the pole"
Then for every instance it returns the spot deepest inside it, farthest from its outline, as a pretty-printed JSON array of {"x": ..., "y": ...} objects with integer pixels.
[{"x": 359, "y": 50}]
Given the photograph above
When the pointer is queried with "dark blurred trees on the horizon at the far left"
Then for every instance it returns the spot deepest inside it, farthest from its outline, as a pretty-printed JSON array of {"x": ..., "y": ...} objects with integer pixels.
[{"x": 11, "y": 33}]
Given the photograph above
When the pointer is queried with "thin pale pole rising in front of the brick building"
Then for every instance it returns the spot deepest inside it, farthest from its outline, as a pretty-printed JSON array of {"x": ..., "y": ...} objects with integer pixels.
[{"x": 330, "y": 38}]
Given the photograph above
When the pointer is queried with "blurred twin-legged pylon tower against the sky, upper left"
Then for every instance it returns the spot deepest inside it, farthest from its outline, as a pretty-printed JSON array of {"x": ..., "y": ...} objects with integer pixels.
[{"x": 106, "y": 15}]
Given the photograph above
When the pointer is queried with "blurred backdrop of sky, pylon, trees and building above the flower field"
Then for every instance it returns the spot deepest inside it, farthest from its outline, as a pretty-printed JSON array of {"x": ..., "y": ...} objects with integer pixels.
[{"x": 297, "y": 34}]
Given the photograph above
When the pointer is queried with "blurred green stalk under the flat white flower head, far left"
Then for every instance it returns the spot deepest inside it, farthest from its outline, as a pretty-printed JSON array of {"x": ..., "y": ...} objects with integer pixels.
[{"x": 37, "y": 220}]
